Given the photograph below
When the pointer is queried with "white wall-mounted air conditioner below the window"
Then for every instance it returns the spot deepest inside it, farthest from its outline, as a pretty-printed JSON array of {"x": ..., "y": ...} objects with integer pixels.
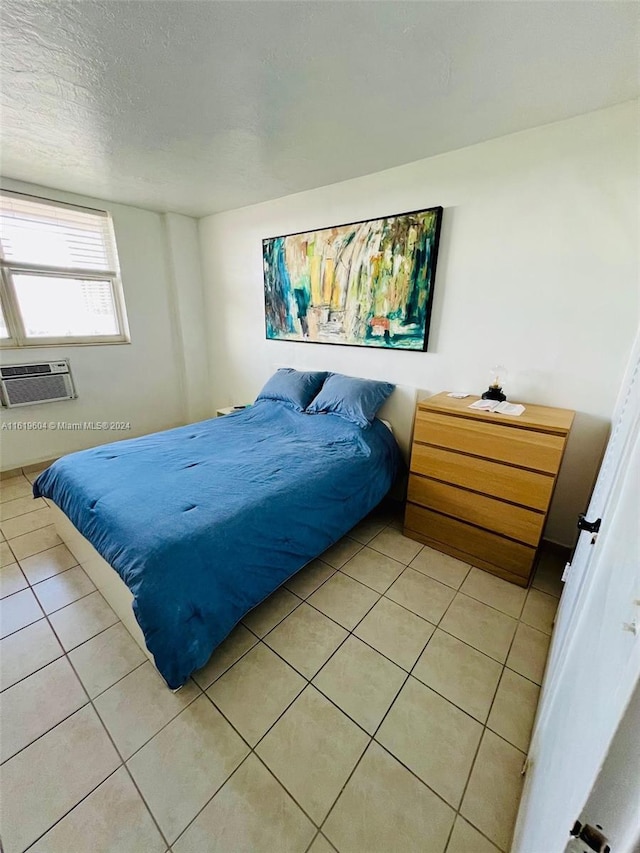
[{"x": 42, "y": 382}]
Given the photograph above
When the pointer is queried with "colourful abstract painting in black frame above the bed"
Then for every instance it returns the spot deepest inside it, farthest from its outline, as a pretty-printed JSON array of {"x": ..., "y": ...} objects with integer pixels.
[{"x": 363, "y": 284}]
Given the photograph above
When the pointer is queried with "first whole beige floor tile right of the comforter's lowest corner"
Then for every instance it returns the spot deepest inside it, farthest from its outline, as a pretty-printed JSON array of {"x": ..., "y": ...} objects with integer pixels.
[{"x": 255, "y": 691}]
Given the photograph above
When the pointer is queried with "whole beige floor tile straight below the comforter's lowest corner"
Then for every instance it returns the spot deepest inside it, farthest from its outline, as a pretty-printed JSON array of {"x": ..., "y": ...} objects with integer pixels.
[{"x": 194, "y": 755}]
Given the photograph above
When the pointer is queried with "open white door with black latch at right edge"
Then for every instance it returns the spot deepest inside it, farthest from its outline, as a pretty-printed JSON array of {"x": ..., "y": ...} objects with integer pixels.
[{"x": 594, "y": 662}]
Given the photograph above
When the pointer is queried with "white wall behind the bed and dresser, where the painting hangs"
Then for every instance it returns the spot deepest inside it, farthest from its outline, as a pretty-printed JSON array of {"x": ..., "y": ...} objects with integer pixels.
[{"x": 538, "y": 270}]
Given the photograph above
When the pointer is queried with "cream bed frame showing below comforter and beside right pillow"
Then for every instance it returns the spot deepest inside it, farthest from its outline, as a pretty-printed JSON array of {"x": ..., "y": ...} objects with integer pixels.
[{"x": 398, "y": 410}]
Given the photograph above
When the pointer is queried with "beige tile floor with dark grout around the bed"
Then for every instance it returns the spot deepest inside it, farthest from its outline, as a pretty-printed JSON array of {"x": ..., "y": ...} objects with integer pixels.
[{"x": 381, "y": 701}]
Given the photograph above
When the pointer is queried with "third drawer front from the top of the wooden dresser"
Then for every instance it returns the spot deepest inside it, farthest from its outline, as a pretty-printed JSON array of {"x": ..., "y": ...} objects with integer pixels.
[{"x": 523, "y": 524}]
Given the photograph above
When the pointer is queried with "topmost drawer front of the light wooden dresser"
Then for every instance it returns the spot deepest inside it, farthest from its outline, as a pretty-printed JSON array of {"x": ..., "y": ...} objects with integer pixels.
[{"x": 537, "y": 450}]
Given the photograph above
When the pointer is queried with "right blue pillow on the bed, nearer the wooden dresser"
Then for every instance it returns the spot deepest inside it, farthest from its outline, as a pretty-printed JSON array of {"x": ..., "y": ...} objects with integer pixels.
[{"x": 356, "y": 400}]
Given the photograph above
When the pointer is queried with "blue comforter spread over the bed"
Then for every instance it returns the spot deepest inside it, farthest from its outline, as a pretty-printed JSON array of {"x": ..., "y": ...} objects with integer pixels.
[{"x": 205, "y": 521}]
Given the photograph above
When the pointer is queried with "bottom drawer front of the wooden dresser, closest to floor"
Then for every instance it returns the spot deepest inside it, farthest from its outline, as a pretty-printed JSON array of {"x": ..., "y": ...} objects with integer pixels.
[{"x": 488, "y": 547}]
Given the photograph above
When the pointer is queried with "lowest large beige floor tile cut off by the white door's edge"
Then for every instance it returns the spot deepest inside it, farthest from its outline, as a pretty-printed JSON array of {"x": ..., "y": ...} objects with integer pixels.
[{"x": 490, "y": 807}]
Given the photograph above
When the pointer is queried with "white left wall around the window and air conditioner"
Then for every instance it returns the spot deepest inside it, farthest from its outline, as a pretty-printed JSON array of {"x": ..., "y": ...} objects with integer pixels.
[{"x": 142, "y": 382}]
